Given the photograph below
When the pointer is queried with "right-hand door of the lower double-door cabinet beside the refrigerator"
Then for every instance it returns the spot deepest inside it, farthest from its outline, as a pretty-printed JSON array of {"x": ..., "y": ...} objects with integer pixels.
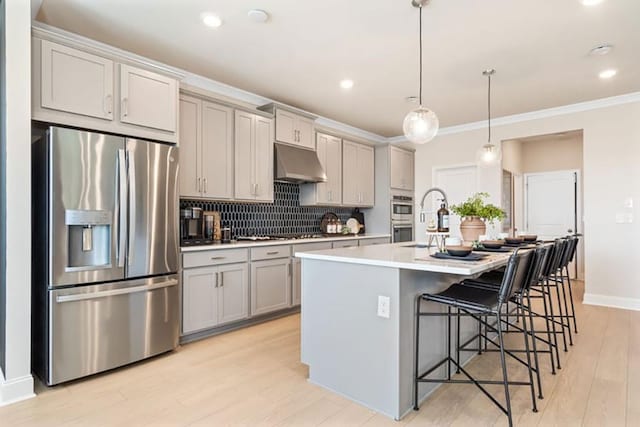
[{"x": 233, "y": 289}]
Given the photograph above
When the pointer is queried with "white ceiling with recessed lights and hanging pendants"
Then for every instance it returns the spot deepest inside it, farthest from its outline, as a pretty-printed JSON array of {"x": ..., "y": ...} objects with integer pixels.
[{"x": 539, "y": 49}]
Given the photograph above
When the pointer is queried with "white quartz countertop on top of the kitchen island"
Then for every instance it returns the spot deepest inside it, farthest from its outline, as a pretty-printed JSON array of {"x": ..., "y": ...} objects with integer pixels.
[{"x": 406, "y": 255}]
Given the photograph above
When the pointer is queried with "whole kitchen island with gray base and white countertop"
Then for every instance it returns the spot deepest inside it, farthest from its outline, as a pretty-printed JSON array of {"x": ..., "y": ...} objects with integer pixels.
[{"x": 350, "y": 344}]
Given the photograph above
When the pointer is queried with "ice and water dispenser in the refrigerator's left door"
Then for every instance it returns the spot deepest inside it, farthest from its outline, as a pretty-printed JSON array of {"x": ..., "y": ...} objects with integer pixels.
[{"x": 89, "y": 234}]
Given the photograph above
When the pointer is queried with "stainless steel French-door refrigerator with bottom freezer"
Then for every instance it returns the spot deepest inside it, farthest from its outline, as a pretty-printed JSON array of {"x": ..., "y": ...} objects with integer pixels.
[{"x": 105, "y": 251}]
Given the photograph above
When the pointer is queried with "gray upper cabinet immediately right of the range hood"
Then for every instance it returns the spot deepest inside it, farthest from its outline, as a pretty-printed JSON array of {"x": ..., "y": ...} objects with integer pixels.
[{"x": 329, "y": 150}]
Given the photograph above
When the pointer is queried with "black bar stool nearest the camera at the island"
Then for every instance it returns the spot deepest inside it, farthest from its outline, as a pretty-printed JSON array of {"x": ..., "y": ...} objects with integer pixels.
[{"x": 478, "y": 302}]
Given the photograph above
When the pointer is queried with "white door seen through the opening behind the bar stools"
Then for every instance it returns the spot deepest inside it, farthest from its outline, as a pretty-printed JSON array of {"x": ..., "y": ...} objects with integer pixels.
[{"x": 551, "y": 208}]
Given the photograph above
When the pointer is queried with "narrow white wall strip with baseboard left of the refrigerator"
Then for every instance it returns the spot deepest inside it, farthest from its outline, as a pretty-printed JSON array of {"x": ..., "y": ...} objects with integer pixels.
[{"x": 17, "y": 383}]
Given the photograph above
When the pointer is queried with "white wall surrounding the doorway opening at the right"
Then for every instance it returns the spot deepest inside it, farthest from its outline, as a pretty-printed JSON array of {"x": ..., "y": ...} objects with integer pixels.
[{"x": 611, "y": 154}]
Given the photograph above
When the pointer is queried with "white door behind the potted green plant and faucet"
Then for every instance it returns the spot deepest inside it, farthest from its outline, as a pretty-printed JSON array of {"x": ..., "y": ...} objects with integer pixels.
[{"x": 459, "y": 183}]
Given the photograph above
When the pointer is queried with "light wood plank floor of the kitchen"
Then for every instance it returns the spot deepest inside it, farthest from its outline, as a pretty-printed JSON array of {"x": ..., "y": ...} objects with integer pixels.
[{"x": 254, "y": 377}]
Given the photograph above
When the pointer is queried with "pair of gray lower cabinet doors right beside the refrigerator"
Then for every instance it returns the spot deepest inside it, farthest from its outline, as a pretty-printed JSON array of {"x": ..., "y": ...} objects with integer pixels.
[{"x": 213, "y": 296}]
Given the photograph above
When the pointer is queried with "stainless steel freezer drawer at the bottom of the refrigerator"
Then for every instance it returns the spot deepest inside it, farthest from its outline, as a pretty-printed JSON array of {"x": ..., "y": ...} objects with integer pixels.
[{"x": 100, "y": 327}]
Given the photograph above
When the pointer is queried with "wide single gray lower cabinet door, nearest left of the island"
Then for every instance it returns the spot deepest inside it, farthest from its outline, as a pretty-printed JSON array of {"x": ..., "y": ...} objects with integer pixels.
[{"x": 270, "y": 285}]
